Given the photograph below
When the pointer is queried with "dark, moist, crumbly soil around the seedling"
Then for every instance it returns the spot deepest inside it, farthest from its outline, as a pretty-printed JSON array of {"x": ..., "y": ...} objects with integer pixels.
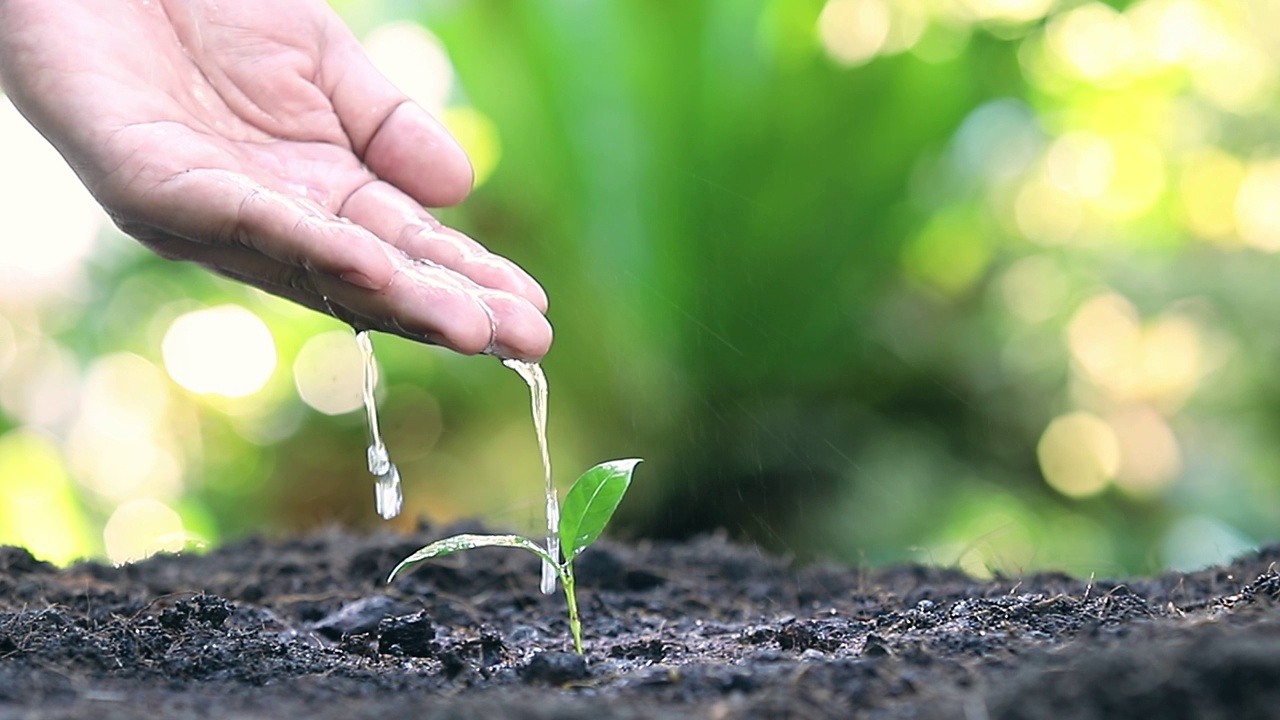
[{"x": 308, "y": 628}]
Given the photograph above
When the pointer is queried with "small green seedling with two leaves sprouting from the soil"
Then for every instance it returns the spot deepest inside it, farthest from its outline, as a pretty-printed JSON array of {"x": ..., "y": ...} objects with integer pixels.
[{"x": 588, "y": 509}]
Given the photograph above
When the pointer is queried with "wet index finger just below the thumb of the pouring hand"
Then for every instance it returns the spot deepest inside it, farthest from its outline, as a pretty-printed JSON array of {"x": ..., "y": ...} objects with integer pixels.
[{"x": 401, "y": 221}]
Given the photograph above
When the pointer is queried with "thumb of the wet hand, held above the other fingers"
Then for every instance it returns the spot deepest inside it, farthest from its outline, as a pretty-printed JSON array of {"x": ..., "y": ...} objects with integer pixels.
[{"x": 396, "y": 138}]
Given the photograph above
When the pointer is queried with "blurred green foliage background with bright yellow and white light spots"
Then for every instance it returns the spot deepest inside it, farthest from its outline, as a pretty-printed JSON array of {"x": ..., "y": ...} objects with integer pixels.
[{"x": 988, "y": 284}]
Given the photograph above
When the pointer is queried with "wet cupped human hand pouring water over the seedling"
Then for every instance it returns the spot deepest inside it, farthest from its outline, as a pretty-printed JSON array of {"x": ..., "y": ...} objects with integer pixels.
[{"x": 257, "y": 139}]
